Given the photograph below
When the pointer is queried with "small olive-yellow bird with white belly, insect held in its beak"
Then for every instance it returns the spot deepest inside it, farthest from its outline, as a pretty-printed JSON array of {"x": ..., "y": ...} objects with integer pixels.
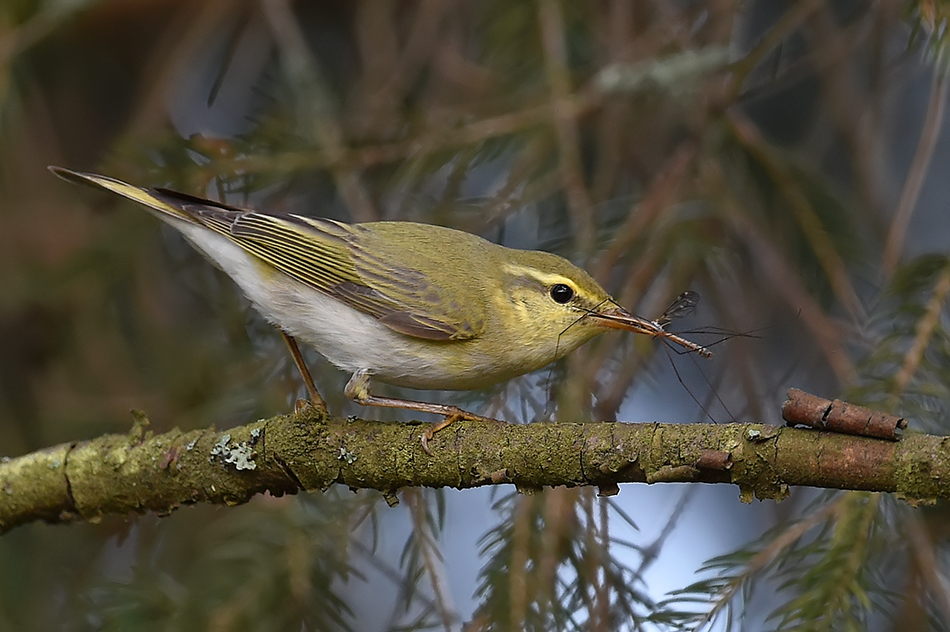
[{"x": 404, "y": 303}]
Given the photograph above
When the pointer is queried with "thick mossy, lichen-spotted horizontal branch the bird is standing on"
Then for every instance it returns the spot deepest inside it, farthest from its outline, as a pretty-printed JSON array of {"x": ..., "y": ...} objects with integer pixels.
[{"x": 141, "y": 471}]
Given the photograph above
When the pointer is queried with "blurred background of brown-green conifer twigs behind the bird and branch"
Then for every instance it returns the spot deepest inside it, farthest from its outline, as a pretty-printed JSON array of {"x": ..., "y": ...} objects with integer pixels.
[{"x": 786, "y": 160}]
